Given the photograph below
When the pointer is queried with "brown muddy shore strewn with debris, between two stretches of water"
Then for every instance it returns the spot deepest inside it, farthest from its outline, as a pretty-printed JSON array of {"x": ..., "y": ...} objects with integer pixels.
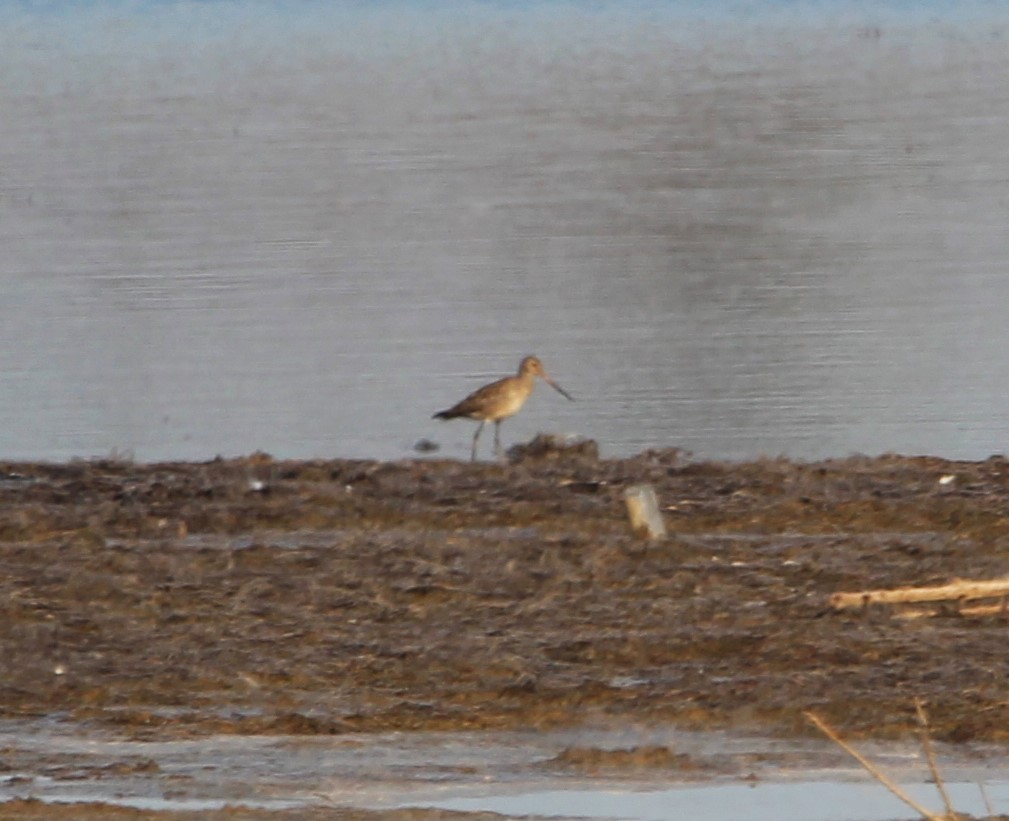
[{"x": 263, "y": 597}]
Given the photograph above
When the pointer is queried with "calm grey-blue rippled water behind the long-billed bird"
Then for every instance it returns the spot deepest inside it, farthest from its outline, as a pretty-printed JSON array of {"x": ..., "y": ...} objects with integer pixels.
[{"x": 304, "y": 228}]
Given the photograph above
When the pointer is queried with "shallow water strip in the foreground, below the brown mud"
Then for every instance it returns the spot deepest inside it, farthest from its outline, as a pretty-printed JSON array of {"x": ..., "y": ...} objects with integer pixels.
[{"x": 513, "y": 774}]
